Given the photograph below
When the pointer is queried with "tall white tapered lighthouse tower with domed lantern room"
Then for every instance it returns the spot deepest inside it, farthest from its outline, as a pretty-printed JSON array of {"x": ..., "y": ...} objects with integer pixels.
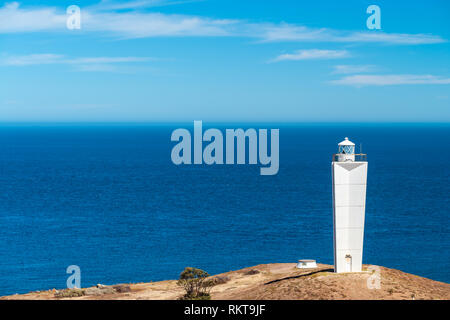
[{"x": 349, "y": 172}]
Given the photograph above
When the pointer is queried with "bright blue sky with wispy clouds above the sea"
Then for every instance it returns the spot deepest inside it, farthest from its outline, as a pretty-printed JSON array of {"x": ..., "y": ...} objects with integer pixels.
[{"x": 224, "y": 60}]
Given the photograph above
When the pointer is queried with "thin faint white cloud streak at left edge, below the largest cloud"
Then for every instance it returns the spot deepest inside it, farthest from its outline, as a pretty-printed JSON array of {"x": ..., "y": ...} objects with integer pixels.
[{"x": 82, "y": 64}]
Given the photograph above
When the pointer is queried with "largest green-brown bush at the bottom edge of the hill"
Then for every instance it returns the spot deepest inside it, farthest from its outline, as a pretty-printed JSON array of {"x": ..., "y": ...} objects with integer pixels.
[{"x": 195, "y": 283}]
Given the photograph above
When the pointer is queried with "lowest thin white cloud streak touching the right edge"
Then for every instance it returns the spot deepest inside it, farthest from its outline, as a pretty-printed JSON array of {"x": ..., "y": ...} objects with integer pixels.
[{"x": 389, "y": 80}]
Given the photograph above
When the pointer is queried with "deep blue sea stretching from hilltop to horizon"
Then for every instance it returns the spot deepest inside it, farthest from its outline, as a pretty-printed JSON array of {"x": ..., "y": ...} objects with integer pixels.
[{"x": 108, "y": 199}]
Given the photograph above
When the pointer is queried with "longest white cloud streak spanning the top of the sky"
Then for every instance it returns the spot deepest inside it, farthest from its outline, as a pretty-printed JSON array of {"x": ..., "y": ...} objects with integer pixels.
[{"x": 127, "y": 20}]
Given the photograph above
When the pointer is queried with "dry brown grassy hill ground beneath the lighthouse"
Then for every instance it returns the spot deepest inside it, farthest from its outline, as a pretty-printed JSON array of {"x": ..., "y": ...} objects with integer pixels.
[{"x": 273, "y": 282}]
